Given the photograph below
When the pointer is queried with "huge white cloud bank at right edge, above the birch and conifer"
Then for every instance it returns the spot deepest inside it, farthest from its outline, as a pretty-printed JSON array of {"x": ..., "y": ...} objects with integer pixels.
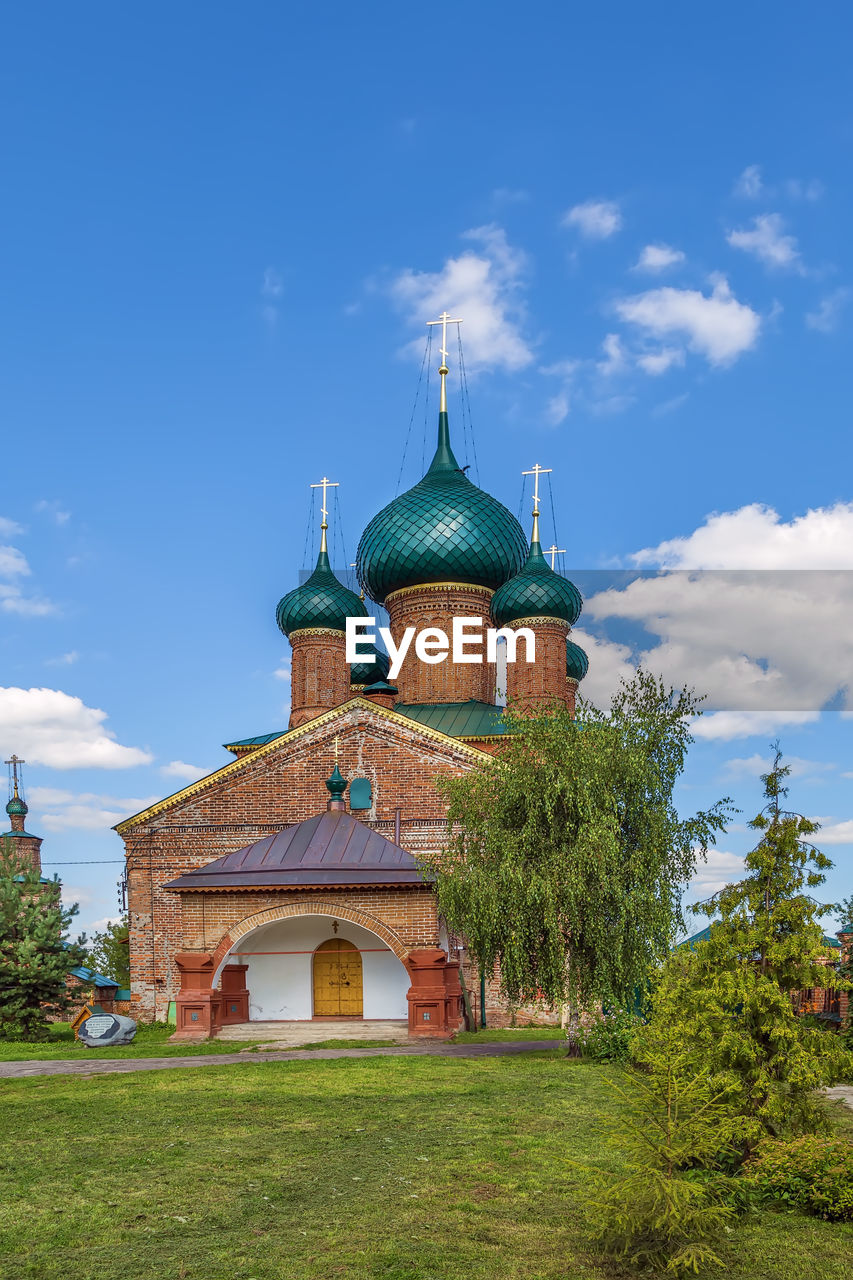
[{"x": 768, "y": 634}]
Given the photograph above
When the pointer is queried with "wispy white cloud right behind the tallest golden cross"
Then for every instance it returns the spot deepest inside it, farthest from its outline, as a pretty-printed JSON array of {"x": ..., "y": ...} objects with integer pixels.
[{"x": 486, "y": 289}]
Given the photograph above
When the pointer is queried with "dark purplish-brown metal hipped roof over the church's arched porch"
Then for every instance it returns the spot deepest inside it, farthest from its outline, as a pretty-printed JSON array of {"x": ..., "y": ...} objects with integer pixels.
[{"x": 331, "y": 849}]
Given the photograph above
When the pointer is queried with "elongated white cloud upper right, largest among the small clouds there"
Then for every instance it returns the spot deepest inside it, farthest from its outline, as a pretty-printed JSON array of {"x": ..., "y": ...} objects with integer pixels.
[{"x": 718, "y": 327}]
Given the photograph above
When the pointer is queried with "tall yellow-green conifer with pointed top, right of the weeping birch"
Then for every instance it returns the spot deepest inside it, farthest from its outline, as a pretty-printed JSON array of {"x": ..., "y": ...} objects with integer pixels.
[{"x": 729, "y": 1000}]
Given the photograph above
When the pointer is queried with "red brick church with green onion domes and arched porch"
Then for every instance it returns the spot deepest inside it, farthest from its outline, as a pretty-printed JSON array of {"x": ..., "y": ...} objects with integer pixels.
[{"x": 286, "y": 885}]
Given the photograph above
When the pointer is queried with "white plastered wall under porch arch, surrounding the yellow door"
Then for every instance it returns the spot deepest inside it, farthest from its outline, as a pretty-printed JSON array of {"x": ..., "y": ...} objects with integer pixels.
[{"x": 280, "y": 977}]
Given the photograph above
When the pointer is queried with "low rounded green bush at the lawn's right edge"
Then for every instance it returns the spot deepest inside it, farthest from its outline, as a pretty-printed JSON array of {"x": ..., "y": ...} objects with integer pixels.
[{"x": 811, "y": 1173}]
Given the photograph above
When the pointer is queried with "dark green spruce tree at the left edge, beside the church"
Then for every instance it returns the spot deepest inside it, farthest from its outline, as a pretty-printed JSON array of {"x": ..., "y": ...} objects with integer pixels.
[{"x": 35, "y": 953}]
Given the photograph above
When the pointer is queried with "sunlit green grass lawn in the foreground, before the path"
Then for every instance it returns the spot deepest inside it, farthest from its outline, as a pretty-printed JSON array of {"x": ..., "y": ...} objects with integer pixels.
[{"x": 366, "y": 1169}]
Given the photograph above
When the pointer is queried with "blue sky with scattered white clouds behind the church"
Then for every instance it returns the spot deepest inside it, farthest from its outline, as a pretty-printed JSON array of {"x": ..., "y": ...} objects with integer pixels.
[{"x": 223, "y": 232}]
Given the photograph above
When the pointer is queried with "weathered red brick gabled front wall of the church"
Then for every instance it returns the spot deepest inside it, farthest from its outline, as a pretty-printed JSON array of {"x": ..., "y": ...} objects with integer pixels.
[{"x": 262, "y": 794}]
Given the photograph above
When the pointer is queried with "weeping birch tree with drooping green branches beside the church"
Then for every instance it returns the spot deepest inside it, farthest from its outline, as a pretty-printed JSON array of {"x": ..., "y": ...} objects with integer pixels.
[{"x": 567, "y": 857}]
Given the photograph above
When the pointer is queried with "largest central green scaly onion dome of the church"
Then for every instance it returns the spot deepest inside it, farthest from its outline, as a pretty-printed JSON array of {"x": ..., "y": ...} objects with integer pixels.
[{"x": 444, "y": 531}]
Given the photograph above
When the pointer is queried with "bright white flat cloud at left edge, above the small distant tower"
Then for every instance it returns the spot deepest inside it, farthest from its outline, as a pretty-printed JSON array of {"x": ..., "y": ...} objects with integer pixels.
[{"x": 51, "y": 728}]
